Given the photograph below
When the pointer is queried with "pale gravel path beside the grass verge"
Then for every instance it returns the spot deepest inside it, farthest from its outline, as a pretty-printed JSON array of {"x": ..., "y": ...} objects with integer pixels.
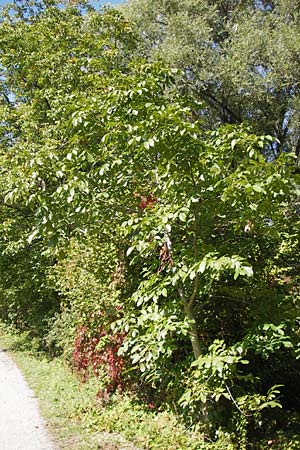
[{"x": 21, "y": 426}]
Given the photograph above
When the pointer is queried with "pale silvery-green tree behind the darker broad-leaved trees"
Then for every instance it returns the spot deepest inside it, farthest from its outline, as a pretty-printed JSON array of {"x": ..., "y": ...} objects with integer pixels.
[{"x": 240, "y": 57}]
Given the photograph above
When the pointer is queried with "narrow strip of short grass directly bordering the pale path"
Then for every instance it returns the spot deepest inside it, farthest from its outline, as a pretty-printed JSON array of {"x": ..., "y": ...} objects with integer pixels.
[{"x": 58, "y": 391}]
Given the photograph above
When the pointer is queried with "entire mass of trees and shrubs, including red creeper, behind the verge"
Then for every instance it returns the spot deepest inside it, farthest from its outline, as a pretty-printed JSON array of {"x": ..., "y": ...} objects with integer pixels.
[{"x": 150, "y": 203}]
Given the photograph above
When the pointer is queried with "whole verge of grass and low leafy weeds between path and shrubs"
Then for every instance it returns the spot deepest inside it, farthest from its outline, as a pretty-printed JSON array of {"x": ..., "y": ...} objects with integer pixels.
[{"x": 79, "y": 421}]
